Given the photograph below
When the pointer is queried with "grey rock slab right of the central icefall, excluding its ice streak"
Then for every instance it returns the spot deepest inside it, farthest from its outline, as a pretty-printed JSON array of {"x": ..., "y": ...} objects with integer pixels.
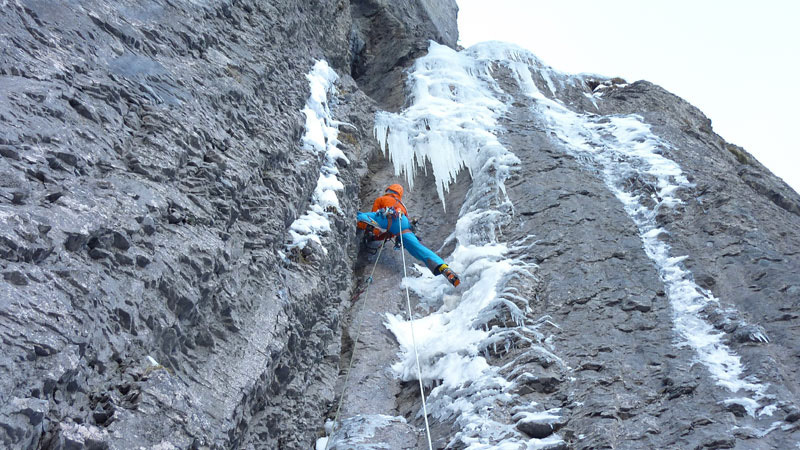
[{"x": 632, "y": 387}]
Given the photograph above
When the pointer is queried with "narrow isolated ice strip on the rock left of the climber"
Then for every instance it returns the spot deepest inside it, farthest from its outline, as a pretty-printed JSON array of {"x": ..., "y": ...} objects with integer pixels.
[{"x": 320, "y": 137}]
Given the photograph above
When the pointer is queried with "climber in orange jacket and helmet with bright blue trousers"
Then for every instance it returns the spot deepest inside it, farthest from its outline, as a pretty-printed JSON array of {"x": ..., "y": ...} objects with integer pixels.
[{"x": 389, "y": 218}]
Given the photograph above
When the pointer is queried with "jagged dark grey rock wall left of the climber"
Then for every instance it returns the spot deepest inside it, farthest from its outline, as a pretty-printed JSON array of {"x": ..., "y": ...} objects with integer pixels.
[{"x": 151, "y": 165}]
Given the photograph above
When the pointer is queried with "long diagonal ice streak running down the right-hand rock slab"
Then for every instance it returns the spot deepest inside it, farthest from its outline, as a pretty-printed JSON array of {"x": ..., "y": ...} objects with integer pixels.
[{"x": 624, "y": 150}]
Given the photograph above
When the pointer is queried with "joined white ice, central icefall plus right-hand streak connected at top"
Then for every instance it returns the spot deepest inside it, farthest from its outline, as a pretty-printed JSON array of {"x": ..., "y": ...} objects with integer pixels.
[{"x": 452, "y": 124}]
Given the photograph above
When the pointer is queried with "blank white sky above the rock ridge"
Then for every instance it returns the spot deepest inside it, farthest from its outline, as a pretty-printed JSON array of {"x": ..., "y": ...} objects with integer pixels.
[{"x": 736, "y": 60}]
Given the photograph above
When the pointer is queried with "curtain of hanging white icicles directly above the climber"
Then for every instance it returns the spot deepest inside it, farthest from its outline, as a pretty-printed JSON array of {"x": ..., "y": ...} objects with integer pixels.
[{"x": 449, "y": 122}]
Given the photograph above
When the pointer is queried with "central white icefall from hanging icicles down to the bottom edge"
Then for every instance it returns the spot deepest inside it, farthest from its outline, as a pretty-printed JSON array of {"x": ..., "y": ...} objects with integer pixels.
[{"x": 452, "y": 123}]
